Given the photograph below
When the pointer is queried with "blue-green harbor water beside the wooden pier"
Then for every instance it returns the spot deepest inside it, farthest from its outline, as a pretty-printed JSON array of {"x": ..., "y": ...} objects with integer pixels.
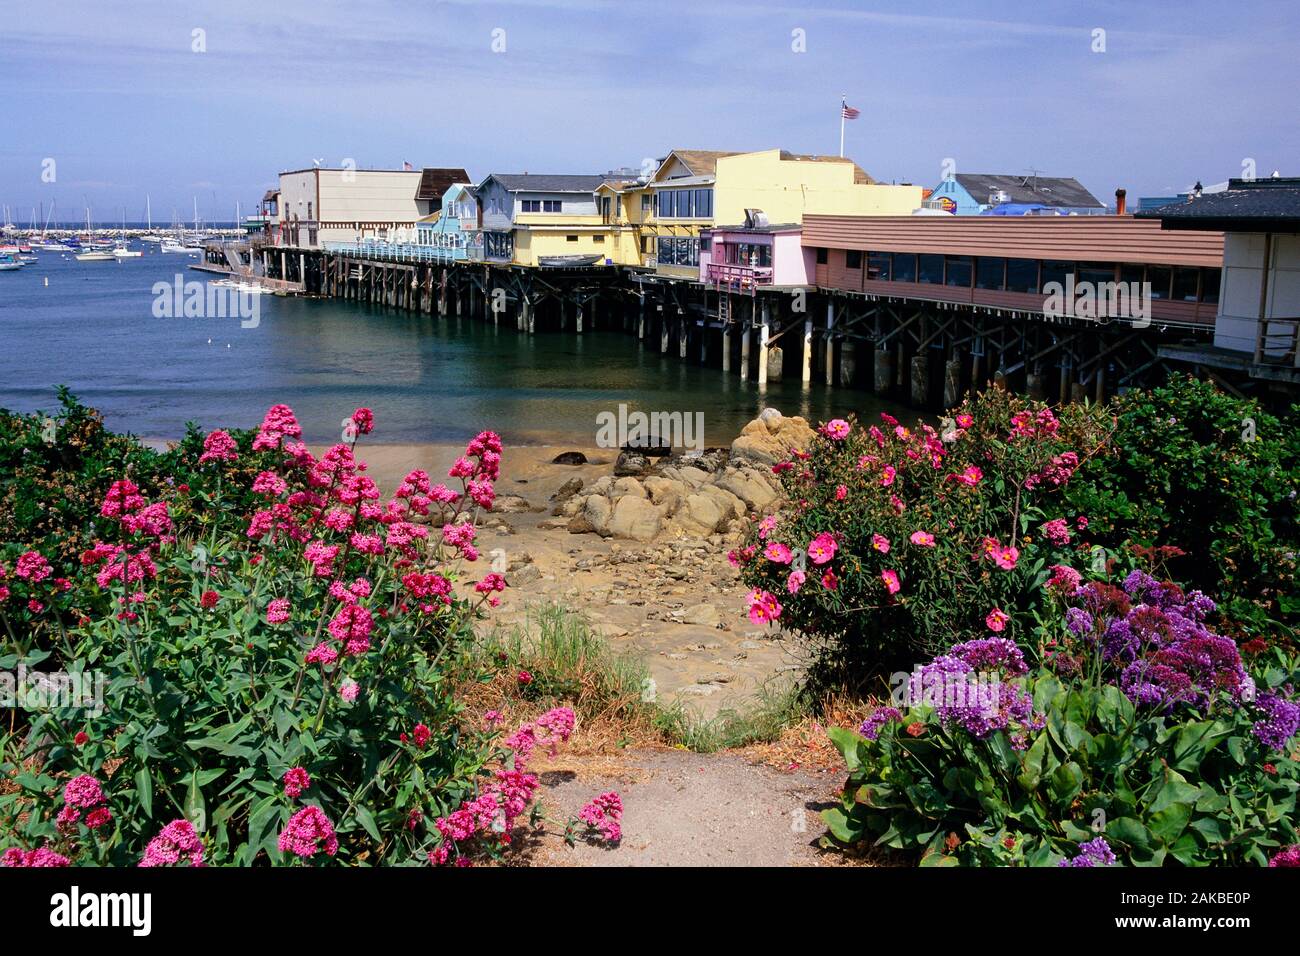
[{"x": 428, "y": 379}]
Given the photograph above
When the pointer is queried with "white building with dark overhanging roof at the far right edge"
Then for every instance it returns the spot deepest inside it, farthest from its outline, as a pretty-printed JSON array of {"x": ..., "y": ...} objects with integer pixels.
[{"x": 1258, "y": 321}]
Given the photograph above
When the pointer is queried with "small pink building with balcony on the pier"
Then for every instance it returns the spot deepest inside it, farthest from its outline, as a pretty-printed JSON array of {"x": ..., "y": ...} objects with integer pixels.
[{"x": 756, "y": 254}]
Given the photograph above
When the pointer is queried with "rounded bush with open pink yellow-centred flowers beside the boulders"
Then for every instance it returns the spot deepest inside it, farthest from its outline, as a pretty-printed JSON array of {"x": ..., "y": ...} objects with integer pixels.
[{"x": 898, "y": 540}]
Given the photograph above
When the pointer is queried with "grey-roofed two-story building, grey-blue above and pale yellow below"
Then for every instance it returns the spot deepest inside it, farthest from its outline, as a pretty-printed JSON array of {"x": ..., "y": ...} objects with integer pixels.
[{"x": 534, "y": 219}]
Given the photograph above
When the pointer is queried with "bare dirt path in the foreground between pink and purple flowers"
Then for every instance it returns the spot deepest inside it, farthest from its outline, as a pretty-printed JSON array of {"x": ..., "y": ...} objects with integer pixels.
[{"x": 688, "y": 810}]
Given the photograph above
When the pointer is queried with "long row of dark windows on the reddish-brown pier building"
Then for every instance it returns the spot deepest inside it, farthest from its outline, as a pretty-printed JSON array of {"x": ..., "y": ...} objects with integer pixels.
[{"x": 1177, "y": 283}]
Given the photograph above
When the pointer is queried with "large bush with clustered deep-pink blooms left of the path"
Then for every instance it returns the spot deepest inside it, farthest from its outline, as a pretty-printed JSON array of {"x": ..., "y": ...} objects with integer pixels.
[{"x": 279, "y": 647}]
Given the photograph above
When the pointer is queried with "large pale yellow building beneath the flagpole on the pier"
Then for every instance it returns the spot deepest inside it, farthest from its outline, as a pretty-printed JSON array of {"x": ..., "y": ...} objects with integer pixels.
[{"x": 699, "y": 189}]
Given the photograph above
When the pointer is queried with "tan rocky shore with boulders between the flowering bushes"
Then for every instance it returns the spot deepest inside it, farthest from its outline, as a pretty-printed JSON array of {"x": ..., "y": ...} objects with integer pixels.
[{"x": 639, "y": 544}]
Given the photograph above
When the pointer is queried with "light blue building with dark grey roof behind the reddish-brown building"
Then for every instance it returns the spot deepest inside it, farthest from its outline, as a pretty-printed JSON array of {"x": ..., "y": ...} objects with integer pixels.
[{"x": 976, "y": 194}]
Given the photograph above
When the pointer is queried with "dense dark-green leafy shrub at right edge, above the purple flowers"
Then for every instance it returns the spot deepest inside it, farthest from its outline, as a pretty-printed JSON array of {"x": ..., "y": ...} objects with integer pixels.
[{"x": 1215, "y": 477}]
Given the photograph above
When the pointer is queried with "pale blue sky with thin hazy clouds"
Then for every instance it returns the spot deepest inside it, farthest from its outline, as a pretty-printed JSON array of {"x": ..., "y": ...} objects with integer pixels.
[{"x": 107, "y": 103}]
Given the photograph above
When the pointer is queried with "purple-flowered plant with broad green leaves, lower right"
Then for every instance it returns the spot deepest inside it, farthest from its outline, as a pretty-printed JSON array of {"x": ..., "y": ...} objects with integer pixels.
[{"x": 1141, "y": 737}]
